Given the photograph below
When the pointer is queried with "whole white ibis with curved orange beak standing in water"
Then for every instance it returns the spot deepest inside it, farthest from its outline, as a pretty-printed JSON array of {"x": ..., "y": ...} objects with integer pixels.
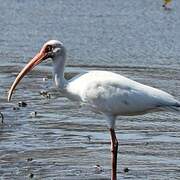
[{"x": 105, "y": 92}]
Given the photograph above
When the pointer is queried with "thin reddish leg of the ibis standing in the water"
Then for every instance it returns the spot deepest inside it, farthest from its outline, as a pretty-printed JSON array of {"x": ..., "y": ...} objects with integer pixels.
[{"x": 114, "y": 150}]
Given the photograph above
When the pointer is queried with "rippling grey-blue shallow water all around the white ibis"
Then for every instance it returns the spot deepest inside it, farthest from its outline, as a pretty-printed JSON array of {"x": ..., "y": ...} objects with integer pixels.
[{"x": 137, "y": 39}]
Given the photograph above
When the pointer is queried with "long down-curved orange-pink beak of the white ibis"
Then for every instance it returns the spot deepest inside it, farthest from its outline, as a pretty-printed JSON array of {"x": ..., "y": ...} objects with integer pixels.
[{"x": 34, "y": 62}]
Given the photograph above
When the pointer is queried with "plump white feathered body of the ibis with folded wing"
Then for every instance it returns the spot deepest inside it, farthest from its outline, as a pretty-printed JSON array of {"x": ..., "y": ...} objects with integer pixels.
[{"x": 115, "y": 94}]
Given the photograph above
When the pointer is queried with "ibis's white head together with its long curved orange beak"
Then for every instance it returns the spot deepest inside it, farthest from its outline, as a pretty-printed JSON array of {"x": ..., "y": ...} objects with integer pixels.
[{"x": 50, "y": 49}]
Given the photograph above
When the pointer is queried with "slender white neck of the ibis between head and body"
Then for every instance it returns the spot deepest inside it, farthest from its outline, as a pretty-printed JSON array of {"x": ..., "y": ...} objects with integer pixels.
[{"x": 58, "y": 74}]
